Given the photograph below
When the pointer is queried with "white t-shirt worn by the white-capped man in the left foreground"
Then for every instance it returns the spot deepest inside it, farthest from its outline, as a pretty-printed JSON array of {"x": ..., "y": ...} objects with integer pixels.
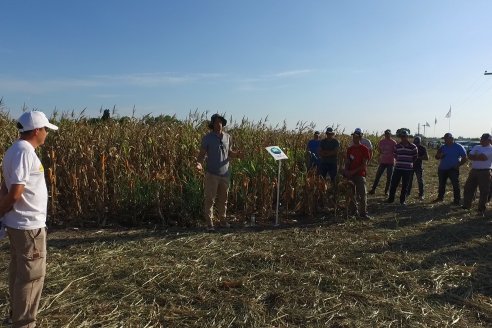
[{"x": 22, "y": 166}]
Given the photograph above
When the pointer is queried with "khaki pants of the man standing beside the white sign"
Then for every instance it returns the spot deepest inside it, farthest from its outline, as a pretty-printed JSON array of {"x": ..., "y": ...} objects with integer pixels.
[{"x": 215, "y": 187}]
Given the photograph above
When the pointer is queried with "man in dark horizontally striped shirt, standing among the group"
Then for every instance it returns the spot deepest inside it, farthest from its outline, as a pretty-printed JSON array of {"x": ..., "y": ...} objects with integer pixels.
[{"x": 405, "y": 154}]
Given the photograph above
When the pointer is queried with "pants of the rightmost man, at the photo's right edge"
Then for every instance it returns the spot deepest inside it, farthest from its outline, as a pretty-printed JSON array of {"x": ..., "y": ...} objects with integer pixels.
[{"x": 480, "y": 178}]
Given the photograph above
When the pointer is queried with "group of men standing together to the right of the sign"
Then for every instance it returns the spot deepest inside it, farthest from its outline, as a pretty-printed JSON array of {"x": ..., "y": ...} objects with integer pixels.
[{"x": 403, "y": 161}]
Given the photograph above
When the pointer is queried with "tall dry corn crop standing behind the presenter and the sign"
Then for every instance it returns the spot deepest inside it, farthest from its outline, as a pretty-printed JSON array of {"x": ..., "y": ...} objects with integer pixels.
[{"x": 133, "y": 171}]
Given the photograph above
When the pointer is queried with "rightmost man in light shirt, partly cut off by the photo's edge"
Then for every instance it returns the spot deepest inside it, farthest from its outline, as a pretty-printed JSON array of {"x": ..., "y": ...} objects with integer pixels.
[{"x": 480, "y": 174}]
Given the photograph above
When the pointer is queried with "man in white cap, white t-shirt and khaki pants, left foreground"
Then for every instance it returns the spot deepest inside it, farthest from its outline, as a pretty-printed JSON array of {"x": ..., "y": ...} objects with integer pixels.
[{"x": 23, "y": 208}]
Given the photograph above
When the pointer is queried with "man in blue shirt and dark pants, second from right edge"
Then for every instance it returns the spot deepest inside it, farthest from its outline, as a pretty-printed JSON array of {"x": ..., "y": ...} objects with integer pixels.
[{"x": 452, "y": 155}]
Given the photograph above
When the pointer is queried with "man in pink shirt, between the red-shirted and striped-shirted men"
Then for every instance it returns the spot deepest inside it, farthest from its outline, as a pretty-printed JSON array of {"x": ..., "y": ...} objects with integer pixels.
[{"x": 386, "y": 161}]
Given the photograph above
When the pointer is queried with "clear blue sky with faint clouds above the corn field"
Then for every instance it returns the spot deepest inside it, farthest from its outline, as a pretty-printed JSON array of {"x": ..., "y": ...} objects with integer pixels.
[{"x": 369, "y": 64}]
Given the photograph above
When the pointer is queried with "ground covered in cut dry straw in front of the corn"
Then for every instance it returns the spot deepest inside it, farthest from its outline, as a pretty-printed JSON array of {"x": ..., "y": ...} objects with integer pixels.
[{"x": 407, "y": 268}]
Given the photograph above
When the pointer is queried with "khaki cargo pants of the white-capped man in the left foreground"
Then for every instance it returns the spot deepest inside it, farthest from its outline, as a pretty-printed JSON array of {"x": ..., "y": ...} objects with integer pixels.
[{"x": 27, "y": 270}]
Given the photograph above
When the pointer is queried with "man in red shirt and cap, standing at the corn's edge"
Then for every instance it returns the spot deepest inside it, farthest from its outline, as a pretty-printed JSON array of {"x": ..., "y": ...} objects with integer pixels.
[{"x": 355, "y": 170}]
